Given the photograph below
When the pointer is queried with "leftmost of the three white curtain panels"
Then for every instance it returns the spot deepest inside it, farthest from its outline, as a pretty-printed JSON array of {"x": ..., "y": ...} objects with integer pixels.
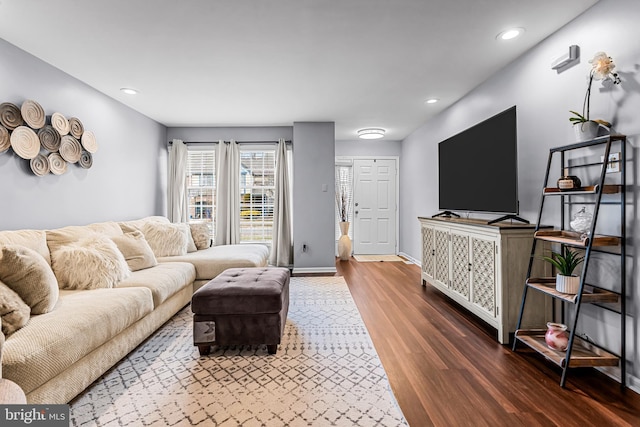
[{"x": 177, "y": 197}]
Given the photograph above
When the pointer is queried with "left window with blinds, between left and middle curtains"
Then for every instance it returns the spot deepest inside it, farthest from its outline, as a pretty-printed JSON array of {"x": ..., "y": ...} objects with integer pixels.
[{"x": 201, "y": 187}]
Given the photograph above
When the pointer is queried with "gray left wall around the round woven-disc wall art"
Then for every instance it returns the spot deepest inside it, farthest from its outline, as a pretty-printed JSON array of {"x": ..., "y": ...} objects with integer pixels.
[{"x": 128, "y": 177}]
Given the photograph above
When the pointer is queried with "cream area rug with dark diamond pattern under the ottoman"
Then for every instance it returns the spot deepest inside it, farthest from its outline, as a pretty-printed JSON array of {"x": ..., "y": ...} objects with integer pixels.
[{"x": 326, "y": 373}]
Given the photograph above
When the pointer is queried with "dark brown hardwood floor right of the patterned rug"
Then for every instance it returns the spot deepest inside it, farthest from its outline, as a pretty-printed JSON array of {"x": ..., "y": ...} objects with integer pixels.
[{"x": 446, "y": 367}]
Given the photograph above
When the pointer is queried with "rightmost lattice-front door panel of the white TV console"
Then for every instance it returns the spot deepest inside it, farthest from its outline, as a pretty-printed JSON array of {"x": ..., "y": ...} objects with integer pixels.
[{"x": 483, "y": 270}]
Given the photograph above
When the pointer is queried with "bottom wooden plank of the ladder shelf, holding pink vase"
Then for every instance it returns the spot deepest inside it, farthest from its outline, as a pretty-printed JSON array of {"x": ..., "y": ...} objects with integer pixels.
[{"x": 584, "y": 354}]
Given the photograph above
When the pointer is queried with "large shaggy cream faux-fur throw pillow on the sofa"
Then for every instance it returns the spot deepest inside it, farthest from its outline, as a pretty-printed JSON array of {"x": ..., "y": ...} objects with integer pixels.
[{"x": 89, "y": 263}]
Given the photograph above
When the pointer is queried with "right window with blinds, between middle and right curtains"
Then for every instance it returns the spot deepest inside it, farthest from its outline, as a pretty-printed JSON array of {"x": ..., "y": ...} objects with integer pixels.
[{"x": 257, "y": 190}]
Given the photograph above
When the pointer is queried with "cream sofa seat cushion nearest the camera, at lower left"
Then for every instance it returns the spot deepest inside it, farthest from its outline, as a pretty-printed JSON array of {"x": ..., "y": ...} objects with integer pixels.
[{"x": 82, "y": 321}]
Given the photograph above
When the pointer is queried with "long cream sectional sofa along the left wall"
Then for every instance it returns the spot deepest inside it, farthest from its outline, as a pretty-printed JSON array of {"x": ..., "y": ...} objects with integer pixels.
[{"x": 59, "y": 353}]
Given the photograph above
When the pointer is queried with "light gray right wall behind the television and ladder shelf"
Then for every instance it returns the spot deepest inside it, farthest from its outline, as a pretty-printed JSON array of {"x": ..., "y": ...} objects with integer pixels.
[{"x": 543, "y": 99}]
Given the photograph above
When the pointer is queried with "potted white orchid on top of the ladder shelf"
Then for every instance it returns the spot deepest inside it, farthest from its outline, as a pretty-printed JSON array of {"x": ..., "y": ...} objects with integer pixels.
[{"x": 601, "y": 69}]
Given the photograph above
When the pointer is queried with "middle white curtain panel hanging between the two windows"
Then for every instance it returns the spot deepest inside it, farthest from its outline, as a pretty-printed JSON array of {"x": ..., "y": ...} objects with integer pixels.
[{"x": 227, "y": 193}]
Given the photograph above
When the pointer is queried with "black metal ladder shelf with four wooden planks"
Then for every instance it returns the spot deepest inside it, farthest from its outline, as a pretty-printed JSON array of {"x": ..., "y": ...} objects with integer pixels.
[{"x": 580, "y": 352}]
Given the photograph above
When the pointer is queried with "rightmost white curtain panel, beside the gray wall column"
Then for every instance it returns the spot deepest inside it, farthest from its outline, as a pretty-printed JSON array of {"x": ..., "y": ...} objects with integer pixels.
[{"x": 281, "y": 247}]
